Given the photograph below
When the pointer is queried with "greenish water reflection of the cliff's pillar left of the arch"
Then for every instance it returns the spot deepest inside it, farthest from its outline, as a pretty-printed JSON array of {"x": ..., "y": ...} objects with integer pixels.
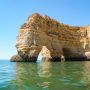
[{"x": 25, "y": 77}]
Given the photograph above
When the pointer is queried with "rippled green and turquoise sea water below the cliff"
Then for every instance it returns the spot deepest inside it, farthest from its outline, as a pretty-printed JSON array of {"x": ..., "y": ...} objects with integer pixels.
[{"x": 44, "y": 75}]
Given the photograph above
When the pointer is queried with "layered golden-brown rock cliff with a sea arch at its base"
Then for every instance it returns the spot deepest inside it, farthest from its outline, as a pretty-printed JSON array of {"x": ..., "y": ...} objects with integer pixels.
[{"x": 57, "y": 39}]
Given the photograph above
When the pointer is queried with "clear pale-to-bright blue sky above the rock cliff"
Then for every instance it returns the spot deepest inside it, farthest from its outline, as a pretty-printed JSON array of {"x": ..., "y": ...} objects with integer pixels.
[{"x": 13, "y": 13}]
